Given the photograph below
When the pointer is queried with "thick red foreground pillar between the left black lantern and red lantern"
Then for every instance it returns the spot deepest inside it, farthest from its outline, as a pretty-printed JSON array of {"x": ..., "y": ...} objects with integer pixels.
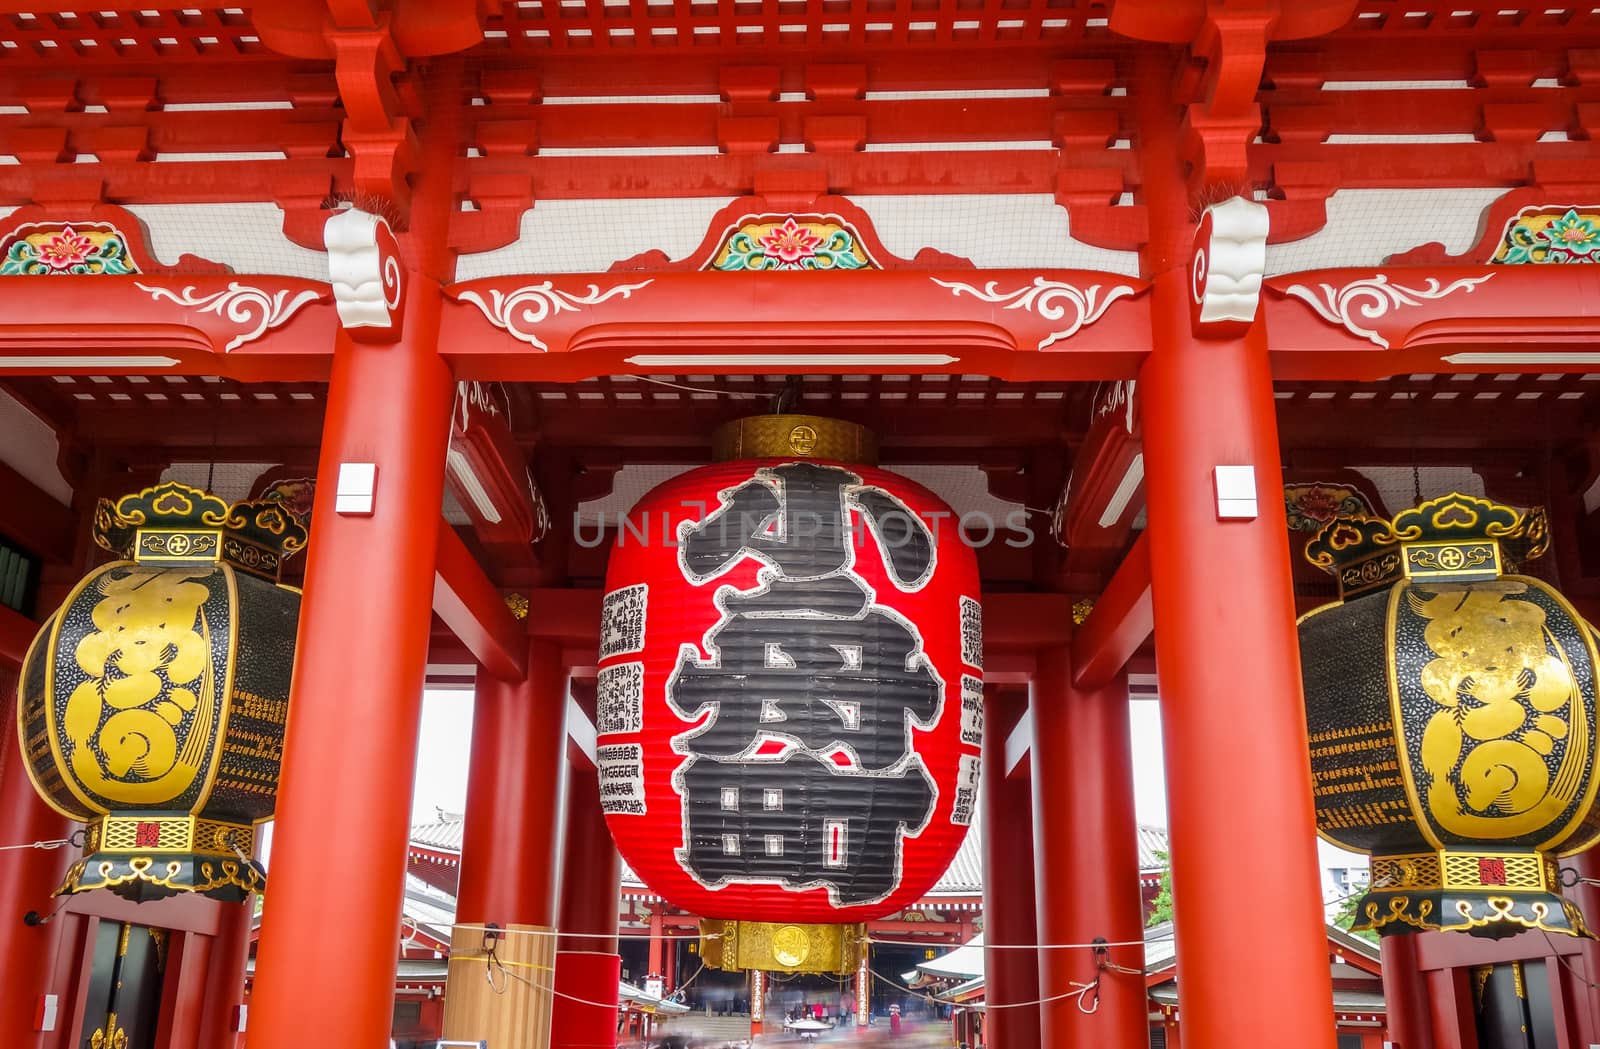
[{"x": 332, "y": 928}]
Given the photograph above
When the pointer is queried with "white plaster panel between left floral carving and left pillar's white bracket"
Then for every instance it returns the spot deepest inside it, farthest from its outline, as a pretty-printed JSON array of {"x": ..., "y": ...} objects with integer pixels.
[{"x": 244, "y": 236}]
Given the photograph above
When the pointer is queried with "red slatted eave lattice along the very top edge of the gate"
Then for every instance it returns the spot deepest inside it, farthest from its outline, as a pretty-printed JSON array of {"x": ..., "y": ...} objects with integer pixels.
[{"x": 126, "y": 33}]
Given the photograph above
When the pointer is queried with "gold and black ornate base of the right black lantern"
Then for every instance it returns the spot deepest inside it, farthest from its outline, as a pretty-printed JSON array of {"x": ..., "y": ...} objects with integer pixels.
[{"x": 1489, "y": 895}]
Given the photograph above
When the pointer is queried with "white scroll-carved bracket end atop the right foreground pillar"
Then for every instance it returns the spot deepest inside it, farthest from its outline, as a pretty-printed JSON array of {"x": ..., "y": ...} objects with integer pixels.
[{"x": 1228, "y": 266}]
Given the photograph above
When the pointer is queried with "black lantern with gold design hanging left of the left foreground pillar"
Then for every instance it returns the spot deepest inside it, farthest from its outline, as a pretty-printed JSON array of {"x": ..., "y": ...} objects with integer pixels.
[{"x": 153, "y": 703}]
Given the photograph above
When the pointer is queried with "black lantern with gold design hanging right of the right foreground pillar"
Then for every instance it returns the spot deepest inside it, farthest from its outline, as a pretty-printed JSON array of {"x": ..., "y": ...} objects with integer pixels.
[{"x": 1452, "y": 717}]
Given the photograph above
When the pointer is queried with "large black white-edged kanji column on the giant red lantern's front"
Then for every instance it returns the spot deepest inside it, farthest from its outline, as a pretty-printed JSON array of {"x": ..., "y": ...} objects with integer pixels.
[{"x": 801, "y": 770}]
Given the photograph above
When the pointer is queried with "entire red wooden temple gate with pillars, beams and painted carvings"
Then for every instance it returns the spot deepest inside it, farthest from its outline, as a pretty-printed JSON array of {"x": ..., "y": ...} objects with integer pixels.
[{"x": 1146, "y": 290}]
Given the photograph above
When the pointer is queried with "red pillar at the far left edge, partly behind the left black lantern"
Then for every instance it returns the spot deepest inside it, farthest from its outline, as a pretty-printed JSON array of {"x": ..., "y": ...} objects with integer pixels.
[{"x": 28, "y": 877}]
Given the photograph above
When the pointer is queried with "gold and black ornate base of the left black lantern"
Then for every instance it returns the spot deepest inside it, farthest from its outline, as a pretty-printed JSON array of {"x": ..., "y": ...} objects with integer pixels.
[{"x": 145, "y": 856}]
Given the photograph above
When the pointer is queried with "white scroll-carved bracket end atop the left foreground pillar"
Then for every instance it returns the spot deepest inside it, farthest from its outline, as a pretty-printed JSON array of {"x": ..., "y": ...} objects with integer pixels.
[{"x": 364, "y": 268}]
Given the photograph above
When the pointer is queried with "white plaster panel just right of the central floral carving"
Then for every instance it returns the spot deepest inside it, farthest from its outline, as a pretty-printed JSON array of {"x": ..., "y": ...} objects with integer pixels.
[{"x": 996, "y": 231}]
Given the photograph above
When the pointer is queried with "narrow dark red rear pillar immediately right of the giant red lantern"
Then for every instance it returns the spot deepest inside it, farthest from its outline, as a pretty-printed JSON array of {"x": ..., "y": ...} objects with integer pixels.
[{"x": 1012, "y": 975}]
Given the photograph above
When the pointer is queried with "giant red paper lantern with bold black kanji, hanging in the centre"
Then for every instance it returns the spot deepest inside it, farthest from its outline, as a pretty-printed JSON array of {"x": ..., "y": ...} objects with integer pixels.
[{"x": 791, "y": 684}]
